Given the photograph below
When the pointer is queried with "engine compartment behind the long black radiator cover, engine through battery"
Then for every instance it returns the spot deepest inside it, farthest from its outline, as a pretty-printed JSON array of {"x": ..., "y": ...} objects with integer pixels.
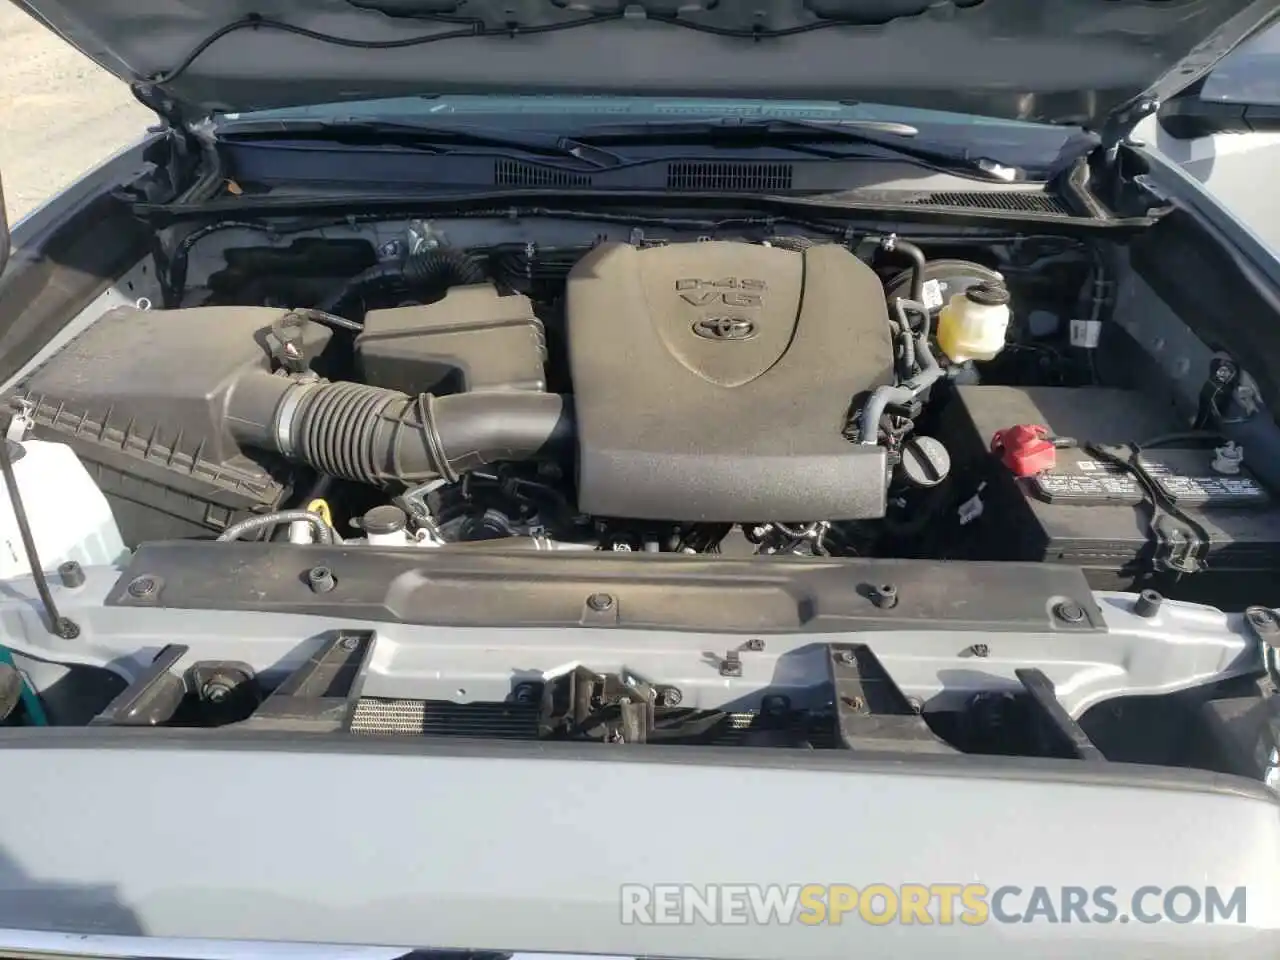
[{"x": 770, "y": 396}]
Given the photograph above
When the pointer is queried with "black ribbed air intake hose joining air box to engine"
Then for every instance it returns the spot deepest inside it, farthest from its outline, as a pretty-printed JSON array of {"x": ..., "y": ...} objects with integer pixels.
[{"x": 382, "y": 437}]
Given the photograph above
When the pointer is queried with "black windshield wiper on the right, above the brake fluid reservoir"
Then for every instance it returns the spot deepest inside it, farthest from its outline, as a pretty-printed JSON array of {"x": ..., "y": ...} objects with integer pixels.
[{"x": 892, "y": 136}]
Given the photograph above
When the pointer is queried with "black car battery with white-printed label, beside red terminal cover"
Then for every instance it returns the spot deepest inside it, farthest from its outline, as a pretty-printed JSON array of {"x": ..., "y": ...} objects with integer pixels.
[{"x": 1086, "y": 510}]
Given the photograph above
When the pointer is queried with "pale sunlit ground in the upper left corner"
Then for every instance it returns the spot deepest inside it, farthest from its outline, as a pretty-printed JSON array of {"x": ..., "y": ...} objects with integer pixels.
[{"x": 60, "y": 113}]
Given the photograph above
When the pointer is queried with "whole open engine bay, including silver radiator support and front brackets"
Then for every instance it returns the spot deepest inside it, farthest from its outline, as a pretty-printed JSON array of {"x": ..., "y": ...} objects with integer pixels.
[{"x": 743, "y": 446}]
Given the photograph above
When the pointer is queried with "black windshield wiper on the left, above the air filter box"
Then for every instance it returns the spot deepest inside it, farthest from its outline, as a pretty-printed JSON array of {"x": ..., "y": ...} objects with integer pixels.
[{"x": 437, "y": 139}]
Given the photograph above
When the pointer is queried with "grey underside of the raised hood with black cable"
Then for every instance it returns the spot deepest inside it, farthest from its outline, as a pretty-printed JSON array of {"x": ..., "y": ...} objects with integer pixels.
[{"x": 1072, "y": 62}]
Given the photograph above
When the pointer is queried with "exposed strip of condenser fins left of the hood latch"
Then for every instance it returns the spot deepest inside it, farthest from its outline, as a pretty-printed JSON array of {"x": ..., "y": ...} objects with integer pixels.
[{"x": 499, "y": 721}]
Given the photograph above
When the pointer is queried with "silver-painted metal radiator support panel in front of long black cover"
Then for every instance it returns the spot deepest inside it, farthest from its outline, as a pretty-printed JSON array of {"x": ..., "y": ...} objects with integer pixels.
[{"x": 1182, "y": 647}]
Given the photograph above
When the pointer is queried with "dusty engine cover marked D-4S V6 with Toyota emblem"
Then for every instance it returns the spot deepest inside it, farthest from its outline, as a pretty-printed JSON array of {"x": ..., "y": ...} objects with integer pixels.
[{"x": 712, "y": 382}]
